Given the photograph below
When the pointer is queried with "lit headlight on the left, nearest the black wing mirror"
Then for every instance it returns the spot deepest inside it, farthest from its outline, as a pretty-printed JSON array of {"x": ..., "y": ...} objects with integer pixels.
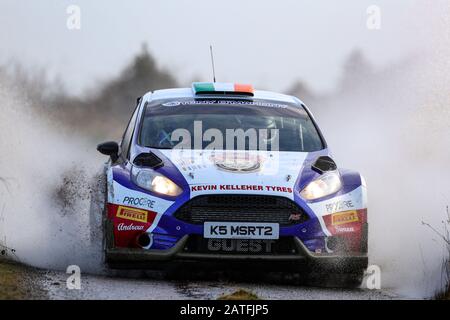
[{"x": 155, "y": 182}]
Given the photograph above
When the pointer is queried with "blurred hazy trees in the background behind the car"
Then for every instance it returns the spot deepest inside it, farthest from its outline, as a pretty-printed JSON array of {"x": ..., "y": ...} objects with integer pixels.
[{"x": 102, "y": 112}]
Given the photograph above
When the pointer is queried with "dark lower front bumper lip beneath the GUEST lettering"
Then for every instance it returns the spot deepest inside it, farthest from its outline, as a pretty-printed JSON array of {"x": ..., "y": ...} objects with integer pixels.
[{"x": 139, "y": 258}]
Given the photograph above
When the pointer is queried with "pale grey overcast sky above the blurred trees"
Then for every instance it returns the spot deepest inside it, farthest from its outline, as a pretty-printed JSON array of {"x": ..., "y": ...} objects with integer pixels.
[{"x": 267, "y": 43}]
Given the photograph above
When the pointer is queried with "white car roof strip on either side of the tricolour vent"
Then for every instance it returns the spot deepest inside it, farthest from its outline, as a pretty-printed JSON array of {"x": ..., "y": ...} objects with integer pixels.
[{"x": 188, "y": 93}]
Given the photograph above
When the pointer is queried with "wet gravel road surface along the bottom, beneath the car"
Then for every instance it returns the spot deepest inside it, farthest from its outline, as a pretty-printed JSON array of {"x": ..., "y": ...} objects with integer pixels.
[{"x": 155, "y": 287}]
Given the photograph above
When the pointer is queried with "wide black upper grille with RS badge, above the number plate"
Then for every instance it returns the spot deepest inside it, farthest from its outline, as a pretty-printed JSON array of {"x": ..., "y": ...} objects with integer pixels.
[{"x": 241, "y": 208}]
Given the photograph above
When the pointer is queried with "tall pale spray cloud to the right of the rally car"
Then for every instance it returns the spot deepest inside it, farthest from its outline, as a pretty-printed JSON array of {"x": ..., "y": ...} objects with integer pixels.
[{"x": 395, "y": 130}]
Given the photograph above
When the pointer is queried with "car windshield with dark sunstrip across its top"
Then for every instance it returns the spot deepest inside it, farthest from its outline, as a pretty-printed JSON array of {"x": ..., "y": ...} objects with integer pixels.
[{"x": 228, "y": 125}]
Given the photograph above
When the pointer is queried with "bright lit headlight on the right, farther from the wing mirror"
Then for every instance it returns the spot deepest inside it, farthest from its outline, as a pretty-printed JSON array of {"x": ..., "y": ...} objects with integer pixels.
[{"x": 328, "y": 183}]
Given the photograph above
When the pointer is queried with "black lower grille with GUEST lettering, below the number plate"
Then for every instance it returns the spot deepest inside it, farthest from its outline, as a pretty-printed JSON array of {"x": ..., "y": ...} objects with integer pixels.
[{"x": 282, "y": 246}]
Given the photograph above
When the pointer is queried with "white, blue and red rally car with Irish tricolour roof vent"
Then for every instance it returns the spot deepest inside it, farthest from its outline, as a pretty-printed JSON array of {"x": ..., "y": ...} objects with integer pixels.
[{"x": 183, "y": 187}]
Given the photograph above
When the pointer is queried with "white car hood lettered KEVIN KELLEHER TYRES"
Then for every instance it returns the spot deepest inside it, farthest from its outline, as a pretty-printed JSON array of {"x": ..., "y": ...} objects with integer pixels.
[{"x": 258, "y": 172}]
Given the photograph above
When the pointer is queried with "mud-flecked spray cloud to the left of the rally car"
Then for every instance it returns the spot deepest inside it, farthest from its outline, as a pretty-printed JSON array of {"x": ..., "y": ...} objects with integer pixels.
[{"x": 49, "y": 177}]
